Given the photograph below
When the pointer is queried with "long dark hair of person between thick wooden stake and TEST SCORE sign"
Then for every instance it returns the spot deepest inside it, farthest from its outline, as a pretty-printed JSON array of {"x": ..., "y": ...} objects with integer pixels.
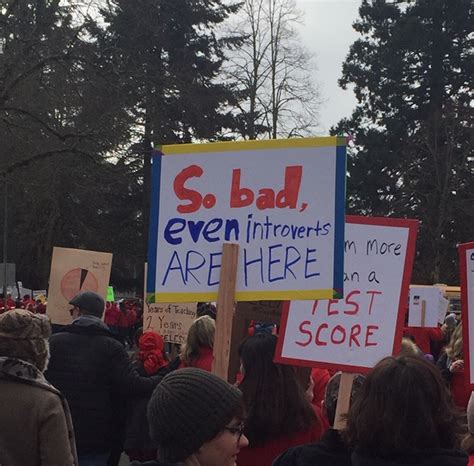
[{"x": 273, "y": 397}]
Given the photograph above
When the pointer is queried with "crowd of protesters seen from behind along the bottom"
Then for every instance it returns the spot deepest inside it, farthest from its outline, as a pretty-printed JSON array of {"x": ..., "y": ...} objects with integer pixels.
[{"x": 91, "y": 391}]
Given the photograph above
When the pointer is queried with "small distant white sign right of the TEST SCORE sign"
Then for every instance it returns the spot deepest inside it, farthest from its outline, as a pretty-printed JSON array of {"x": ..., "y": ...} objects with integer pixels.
[{"x": 430, "y": 300}]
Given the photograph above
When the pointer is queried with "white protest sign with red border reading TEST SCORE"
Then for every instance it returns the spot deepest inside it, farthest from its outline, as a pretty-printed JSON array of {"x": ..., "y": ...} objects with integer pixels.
[{"x": 354, "y": 333}]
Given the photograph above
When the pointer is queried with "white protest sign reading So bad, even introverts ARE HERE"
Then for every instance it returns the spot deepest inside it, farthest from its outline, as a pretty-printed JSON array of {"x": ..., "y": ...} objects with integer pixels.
[{"x": 281, "y": 201}]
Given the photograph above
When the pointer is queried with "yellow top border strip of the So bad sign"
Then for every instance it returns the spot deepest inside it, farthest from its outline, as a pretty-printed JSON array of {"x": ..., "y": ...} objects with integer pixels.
[{"x": 227, "y": 146}]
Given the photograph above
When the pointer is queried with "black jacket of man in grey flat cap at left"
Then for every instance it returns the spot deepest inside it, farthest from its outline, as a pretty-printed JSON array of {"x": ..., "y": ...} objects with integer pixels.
[{"x": 93, "y": 371}]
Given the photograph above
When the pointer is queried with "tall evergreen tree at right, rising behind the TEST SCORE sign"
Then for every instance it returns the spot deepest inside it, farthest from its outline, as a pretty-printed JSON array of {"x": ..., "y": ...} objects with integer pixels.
[{"x": 412, "y": 71}]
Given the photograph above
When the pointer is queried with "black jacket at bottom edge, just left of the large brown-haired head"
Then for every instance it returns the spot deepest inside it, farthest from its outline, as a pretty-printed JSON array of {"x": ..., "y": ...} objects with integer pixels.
[{"x": 329, "y": 451}]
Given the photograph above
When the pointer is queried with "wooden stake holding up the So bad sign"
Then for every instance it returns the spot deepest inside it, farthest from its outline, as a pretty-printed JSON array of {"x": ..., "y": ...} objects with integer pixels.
[{"x": 225, "y": 309}]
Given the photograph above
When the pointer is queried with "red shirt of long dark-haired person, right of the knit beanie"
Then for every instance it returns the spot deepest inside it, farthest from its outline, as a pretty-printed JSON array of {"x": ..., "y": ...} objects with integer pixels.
[{"x": 265, "y": 454}]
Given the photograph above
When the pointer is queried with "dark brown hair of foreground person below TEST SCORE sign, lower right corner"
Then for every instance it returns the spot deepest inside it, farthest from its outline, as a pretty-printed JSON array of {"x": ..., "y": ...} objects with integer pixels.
[{"x": 404, "y": 404}]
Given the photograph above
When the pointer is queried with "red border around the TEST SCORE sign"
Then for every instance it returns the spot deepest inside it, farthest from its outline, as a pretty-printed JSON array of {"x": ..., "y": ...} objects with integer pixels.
[{"x": 412, "y": 226}]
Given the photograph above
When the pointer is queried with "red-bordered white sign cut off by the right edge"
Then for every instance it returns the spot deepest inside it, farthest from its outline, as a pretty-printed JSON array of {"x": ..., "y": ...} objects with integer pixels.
[{"x": 466, "y": 264}]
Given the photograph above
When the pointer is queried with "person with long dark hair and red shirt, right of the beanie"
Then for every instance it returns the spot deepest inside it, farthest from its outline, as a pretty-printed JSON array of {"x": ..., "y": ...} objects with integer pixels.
[{"x": 279, "y": 415}]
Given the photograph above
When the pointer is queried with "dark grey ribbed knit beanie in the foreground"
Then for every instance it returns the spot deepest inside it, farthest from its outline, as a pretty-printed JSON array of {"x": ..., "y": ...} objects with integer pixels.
[{"x": 188, "y": 408}]
